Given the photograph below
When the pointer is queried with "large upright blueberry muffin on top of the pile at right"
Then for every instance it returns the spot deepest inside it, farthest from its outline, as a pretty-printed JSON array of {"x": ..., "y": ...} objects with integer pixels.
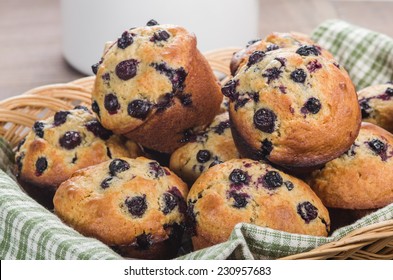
[{"x": 294, "y": 108}]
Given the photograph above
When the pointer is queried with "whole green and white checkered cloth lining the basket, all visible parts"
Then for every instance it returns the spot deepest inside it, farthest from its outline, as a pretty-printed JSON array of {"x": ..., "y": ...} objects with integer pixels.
[{"x": 29, "y": 231}]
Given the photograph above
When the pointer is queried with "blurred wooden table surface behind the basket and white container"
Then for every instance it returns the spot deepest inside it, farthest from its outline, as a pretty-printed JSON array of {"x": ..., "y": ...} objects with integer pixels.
[{"x": 30, "y": 34}]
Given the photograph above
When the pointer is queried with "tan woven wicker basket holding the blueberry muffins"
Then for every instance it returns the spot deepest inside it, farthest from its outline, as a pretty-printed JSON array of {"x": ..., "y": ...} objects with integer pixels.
[{"x": 18, "y": 114}]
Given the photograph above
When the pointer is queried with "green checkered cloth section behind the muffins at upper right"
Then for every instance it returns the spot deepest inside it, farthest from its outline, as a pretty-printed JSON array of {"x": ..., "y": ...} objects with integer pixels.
[{"x": 365, "y": 54}]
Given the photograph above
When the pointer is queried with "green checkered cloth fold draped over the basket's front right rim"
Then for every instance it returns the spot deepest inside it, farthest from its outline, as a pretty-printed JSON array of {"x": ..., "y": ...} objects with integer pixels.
[{"x": 252, "y": 242}]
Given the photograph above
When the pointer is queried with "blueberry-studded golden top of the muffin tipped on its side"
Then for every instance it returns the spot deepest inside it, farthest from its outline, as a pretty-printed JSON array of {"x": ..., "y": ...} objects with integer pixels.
[{"x": 142, "y": 73}]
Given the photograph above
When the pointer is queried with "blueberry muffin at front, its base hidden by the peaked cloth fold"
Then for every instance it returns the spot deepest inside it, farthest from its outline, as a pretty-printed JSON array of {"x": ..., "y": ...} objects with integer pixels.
[{"x": 247, "y": 191}]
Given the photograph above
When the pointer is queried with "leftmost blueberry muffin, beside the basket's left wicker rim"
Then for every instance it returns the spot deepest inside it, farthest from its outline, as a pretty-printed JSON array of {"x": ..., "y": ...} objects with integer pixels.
[{"x": 58, "y": 146}]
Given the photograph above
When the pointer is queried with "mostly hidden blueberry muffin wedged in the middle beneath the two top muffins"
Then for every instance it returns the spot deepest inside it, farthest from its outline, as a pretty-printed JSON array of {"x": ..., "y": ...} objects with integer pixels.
[{"x": 212, "y": 146}]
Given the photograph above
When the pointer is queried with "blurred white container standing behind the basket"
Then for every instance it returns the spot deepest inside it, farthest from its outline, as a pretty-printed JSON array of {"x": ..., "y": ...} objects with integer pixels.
[{"x": 88, "y": 24}]
